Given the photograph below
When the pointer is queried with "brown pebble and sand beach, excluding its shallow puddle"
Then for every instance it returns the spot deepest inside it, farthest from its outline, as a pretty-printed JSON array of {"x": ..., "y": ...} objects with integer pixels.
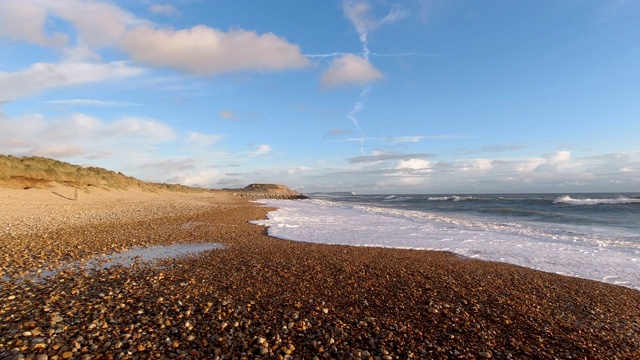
[{"x": 262, "y": 297}]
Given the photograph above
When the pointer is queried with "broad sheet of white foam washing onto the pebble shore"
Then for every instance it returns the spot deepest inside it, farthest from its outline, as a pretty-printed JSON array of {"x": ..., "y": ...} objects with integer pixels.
[{"x": 563, "y": 250}]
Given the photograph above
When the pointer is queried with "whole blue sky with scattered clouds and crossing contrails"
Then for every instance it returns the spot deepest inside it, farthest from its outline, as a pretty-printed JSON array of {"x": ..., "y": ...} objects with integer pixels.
[{"x": 369, "y": 96}]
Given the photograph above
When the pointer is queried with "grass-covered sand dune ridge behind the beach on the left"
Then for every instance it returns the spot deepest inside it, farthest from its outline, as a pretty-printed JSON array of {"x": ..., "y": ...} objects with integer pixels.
[{"x": 39, "y": 172}]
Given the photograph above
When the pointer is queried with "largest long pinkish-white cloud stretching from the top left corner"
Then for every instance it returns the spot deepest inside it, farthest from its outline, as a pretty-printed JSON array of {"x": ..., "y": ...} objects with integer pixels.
[{"x": 196, "y": 50}]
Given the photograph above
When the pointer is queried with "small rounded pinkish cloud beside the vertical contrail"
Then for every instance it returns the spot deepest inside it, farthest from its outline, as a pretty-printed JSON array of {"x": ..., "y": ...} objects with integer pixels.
[{"x": 350, "y": 70}]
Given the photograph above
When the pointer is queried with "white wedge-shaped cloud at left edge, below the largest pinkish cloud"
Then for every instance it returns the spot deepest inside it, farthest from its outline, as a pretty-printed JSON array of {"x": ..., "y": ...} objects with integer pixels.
[{"x": 44, "y": 76}]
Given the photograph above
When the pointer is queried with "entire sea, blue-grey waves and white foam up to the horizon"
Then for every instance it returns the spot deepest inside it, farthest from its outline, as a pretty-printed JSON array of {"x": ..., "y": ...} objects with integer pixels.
[{"x": 592, "y": 236}]
